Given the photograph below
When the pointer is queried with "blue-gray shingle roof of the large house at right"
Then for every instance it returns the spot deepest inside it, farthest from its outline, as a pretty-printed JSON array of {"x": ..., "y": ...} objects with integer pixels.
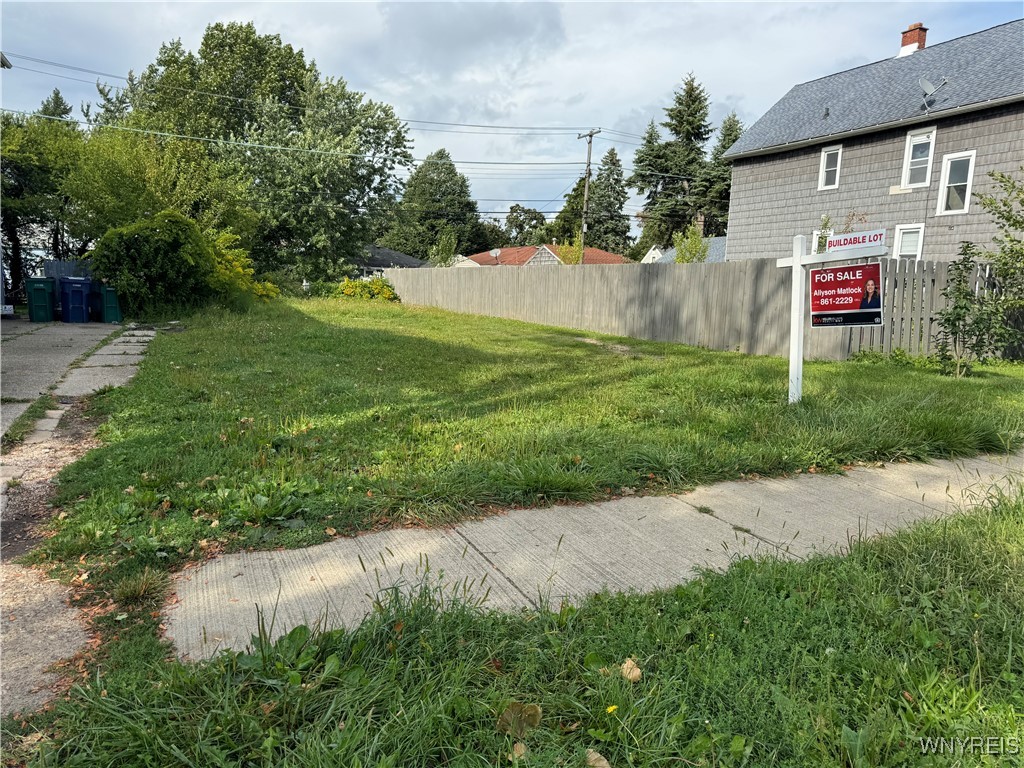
[{"x": 984, "y": 70}]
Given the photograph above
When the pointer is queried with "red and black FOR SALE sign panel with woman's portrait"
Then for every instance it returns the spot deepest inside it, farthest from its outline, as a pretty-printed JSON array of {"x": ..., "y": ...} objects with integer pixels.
[{"x": 844, "y": 296}]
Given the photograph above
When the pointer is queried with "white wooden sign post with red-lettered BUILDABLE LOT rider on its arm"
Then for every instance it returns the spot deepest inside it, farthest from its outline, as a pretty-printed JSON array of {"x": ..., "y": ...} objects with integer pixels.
[{"x": 841, "y": 248}]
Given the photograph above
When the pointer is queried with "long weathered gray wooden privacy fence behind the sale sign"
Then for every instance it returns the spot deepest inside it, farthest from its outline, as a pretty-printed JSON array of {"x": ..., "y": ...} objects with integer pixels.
[{"x": 735, "y": 306}]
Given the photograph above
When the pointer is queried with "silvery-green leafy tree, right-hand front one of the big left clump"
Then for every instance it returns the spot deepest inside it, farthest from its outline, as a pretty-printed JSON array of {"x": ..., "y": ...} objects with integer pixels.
[{"x": 320, "y": 201}]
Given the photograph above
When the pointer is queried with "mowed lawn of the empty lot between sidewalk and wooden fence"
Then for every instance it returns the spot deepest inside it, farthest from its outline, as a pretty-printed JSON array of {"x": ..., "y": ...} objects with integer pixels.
[{"x": 352, "y": 415}]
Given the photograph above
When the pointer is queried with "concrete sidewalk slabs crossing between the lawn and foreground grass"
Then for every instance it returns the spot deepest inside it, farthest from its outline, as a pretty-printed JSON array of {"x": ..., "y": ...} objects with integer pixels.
[{"x": 520, "y": 559}]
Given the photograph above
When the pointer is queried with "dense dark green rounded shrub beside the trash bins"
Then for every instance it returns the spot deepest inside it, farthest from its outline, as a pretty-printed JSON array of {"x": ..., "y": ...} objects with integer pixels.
[{"x": 159, "y": 263}]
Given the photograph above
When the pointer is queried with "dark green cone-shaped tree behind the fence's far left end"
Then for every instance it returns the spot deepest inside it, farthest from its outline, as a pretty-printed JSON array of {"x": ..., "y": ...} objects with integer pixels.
[{"x": 437, "y": 197}]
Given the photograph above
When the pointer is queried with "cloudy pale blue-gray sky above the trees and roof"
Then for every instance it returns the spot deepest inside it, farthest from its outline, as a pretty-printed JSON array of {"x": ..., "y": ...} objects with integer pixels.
[{"x": 558, "y": 66}]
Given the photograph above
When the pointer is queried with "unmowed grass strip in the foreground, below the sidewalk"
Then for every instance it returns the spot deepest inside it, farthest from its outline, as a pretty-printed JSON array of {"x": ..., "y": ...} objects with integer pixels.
[{"x": 832, "y": 662}]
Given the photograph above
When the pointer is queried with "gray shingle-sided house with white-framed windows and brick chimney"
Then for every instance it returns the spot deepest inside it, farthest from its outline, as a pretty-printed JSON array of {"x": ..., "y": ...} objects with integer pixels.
[{"x": 905, "y": 144}]
